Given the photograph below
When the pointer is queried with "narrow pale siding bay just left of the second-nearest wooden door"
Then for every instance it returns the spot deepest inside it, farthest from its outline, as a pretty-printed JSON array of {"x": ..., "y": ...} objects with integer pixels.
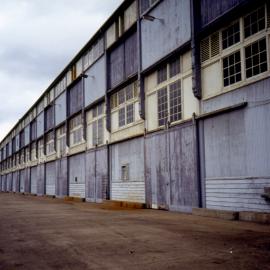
[{"x": 77, "y": 176}]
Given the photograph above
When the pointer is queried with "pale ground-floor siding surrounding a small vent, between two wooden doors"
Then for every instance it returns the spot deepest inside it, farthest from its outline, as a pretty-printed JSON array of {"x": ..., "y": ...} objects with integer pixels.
[{"x": 131, "y": 153}]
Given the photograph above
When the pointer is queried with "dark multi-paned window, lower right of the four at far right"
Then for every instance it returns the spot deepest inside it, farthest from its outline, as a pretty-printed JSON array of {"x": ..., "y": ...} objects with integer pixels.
[{"x": 256, "y": 58}]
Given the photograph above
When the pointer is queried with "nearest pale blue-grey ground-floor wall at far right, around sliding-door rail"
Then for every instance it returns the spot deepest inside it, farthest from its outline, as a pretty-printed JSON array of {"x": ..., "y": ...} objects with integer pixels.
[{"x": 237, "y": 150}]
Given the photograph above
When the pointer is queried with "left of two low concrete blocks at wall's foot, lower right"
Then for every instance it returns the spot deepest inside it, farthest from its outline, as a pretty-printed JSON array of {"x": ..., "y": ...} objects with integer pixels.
[{"x": 203, "y": 212}]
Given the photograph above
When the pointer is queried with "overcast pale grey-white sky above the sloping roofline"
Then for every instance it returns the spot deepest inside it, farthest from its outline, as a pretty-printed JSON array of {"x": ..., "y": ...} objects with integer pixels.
[{"x": 37, "y": 40}]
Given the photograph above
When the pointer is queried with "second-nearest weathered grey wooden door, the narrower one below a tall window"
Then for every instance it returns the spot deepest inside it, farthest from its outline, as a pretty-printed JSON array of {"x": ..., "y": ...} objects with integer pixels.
[{"x": 96, "y": 175}]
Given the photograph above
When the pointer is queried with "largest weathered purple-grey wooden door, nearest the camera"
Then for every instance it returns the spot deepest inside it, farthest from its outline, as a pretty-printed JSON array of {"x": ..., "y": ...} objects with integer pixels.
[{"x": 171, "y": 172}]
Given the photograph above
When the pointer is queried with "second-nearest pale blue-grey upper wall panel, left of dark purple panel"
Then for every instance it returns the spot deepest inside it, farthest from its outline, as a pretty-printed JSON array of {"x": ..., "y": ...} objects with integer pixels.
[{"x": 95, "y": 83}]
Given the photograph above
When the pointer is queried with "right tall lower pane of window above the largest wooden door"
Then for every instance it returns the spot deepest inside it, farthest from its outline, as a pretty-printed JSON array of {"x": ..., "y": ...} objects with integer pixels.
[{"x": 175, "y": 101}]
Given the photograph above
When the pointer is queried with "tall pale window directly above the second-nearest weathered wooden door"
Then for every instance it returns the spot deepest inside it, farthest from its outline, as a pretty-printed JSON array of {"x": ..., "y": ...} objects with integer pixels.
[{"x": 98, "y": 125}]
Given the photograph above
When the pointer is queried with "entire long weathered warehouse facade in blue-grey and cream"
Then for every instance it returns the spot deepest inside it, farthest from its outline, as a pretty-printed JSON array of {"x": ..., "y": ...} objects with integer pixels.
[{"x": 167, "y": 105}]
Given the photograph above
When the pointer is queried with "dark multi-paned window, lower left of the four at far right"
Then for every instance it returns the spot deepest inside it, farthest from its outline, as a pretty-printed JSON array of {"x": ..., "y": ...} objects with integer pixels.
[{"x": 232, "y": 69}]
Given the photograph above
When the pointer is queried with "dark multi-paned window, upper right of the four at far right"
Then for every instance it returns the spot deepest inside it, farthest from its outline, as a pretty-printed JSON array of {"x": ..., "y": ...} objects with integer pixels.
[{"x": 254, "y": 22}]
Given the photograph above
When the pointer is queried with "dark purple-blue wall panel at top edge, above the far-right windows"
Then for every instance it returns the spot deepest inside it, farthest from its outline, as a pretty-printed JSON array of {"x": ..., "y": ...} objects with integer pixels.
[{"x": 212, "y": 9}]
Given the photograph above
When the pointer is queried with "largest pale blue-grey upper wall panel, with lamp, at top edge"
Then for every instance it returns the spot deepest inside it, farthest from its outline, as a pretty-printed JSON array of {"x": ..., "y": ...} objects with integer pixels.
[{"x": 160, "y": 37}]
